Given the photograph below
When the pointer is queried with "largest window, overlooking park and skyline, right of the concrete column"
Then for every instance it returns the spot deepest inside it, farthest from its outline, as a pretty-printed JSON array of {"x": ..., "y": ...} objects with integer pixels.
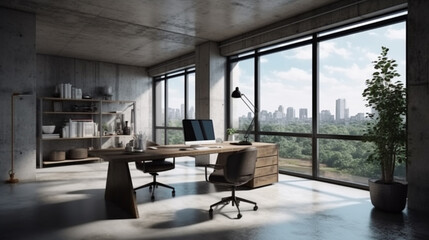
[{"x": 308, "y": 93}]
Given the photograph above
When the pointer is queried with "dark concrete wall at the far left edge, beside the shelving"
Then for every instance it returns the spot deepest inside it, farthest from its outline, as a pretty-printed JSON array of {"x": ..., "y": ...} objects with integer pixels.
[{"x": 17, "y": 75}]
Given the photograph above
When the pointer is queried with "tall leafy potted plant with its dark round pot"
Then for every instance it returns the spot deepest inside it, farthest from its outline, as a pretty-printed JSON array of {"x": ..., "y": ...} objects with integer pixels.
[{"x": 387, "y": 131}]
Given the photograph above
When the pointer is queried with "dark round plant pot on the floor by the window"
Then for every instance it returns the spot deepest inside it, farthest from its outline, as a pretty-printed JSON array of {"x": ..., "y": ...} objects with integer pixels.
[{"x": 388, "y": 197}]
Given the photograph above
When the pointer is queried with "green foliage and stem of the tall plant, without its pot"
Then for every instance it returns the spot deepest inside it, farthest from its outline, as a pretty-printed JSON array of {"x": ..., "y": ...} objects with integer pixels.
[{"x": 387, "y": 128}]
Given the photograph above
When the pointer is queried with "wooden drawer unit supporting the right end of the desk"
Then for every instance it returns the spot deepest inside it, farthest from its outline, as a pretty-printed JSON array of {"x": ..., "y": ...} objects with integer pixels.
[{"x": 267, "y": 166}]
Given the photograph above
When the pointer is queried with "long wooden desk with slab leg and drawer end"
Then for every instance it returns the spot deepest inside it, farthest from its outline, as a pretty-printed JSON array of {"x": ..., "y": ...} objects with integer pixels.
[{"x": 119, "y": 186}]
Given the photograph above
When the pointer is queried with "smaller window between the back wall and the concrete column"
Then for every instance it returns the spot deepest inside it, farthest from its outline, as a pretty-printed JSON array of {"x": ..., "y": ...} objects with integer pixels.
[{"x": 174, "y": 100}]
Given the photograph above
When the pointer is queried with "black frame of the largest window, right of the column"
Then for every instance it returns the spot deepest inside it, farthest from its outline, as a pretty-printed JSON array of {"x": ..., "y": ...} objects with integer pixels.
[{"x": 314, "y": 39}]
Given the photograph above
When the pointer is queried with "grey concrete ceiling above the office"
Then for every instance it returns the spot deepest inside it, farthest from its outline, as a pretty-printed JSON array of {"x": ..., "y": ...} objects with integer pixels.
[{"x": 147, "y": 32}]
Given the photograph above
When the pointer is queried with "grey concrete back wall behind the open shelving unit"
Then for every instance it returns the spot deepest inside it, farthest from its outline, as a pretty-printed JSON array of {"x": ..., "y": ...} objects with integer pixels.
[{"x": 128, "y": 83}]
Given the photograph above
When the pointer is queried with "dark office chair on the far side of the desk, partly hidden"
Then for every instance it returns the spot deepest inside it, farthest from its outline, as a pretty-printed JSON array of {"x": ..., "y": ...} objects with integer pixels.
[{"x": 153, "y": 167}]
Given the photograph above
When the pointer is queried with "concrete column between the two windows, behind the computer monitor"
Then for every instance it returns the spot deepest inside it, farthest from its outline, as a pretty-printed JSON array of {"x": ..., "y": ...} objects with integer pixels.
[{"x": 210, "y": 88}]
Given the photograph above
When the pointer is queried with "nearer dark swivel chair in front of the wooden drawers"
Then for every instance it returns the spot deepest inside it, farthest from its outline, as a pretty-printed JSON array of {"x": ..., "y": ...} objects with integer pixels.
[{"x": 237, "y": 169}]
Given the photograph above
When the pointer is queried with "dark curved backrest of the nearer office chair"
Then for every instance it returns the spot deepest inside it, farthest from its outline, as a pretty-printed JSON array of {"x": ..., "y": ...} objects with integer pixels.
[{"x": 240, "y": 166}]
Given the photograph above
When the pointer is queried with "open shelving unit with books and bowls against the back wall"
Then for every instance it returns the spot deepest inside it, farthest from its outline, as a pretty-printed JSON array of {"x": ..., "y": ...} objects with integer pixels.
[{"x": 105, "y": 115}]
